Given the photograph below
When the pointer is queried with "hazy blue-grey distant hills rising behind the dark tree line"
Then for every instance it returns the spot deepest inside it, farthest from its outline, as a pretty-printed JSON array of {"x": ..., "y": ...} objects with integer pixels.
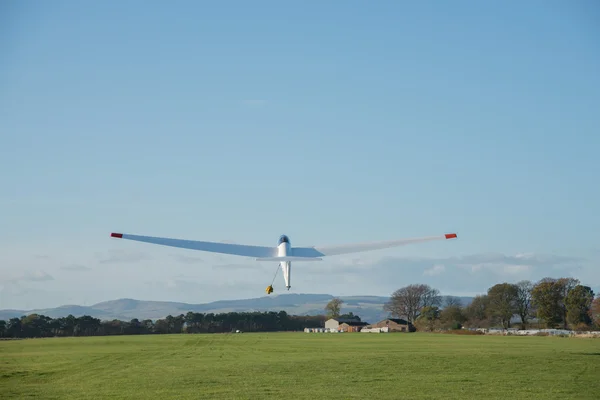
[{"x": 369, "y": 308}]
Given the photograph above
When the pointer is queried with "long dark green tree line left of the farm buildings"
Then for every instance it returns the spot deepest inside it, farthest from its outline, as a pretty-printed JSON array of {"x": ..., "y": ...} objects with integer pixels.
[{"x": 36, "y": 326}]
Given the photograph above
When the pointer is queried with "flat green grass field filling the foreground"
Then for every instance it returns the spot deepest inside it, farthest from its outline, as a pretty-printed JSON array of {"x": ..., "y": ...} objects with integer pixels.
[{"x": 301, "y": 366}]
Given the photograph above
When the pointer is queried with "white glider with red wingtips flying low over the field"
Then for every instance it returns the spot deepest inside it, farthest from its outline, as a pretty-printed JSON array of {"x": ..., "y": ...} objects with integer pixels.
[{"x": 283, "y": 253}]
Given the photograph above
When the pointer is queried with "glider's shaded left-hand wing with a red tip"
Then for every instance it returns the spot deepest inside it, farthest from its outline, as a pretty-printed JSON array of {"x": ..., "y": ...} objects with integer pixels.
[{"x": 213, "y": 247}]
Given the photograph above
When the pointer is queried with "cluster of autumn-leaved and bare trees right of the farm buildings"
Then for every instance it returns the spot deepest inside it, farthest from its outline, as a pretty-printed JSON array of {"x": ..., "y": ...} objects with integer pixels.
[{"x": 562, "y": 303}]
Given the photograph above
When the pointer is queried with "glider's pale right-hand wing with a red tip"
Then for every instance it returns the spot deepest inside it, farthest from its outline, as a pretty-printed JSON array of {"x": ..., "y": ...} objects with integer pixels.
[{"x": 321, "y": 251}]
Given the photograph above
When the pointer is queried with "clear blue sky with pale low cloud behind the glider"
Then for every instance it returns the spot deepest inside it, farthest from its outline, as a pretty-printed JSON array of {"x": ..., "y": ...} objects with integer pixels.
[{"x": 332, "y": 123}]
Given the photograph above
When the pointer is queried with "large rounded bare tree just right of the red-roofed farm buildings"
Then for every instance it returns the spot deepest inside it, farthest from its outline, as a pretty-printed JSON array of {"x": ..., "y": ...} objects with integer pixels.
[{"x": 408, "y": 301}]
